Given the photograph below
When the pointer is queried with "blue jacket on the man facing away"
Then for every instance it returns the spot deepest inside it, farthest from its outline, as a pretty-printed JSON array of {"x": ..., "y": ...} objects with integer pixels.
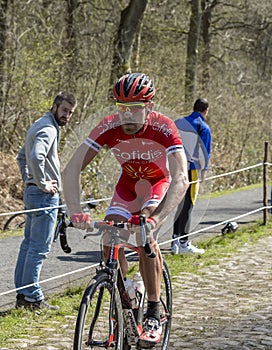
[{"x": 196, "y": 138}]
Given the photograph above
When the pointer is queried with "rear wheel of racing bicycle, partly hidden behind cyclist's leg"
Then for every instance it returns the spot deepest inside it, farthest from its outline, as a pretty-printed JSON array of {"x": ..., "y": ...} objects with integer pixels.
[{"x": 165, "y": 312}]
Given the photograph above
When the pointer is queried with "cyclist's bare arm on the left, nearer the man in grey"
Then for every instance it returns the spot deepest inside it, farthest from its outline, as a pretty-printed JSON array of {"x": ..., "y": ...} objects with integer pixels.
[{"x": 71, "y": 177}]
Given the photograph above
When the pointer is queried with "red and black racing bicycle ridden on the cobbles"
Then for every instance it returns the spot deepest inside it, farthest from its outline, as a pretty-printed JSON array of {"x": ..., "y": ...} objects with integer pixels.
[{"x": 106, "y": 318}]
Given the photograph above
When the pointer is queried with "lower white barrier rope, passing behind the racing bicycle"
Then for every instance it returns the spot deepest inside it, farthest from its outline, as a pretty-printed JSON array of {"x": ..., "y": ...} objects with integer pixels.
[{"x": 133, "y": 253}]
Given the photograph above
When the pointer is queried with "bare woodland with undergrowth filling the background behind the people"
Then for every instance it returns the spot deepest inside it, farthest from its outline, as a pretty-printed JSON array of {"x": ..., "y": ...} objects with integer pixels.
[{"x": 221, "y": 50}]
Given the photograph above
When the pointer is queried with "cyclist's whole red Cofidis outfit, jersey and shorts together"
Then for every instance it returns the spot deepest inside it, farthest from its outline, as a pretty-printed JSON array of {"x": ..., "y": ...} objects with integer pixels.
[{"x": 144, "y": 178}]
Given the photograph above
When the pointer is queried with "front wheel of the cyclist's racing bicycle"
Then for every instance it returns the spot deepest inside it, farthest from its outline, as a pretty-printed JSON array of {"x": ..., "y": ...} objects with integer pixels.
[{"x": 95, "y": 318}]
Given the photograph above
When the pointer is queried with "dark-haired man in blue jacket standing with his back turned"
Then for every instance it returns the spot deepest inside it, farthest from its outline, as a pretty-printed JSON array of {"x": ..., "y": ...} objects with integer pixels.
[{"x": 196, "y": 137}]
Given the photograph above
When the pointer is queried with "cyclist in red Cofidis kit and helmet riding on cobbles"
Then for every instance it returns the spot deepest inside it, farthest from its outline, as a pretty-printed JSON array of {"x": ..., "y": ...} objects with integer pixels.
[{"x": 153, "y": 176}]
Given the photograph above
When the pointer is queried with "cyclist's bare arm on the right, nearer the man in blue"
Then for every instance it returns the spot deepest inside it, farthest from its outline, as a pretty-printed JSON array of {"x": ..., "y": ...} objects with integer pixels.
[{"x": 177, "y": 188}]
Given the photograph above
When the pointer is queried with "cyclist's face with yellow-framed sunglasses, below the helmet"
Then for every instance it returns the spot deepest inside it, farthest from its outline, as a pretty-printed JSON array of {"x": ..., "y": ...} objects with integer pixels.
[{"x": 133, "y": 115}]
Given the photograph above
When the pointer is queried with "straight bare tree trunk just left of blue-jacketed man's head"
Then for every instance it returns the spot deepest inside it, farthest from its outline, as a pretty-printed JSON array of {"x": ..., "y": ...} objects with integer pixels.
[{"x": 192, "y": 47}]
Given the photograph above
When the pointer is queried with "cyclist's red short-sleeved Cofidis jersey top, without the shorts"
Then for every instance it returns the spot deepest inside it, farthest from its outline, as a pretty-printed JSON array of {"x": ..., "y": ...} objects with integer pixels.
[{"x": 142, "y": 155}]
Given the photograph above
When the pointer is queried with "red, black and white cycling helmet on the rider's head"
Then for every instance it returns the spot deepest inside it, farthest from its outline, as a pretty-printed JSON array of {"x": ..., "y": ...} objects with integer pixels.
[{"x": 134, "y": 87}]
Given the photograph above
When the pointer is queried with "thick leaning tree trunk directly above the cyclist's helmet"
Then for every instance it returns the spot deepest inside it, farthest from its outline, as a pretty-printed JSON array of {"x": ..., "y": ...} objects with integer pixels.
[{"x": 129, "y": 27}]
